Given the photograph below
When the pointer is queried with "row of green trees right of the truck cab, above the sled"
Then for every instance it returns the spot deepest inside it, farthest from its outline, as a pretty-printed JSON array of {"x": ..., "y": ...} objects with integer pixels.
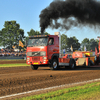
[{"x": 74, "y": 42}]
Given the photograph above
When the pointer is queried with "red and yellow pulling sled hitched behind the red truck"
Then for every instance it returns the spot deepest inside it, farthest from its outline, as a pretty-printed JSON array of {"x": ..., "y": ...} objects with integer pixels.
[{"x": 87, "y": 58}]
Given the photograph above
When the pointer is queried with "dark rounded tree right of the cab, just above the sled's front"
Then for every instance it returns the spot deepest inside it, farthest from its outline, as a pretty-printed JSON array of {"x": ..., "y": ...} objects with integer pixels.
[{"x": 73, "y": 41}]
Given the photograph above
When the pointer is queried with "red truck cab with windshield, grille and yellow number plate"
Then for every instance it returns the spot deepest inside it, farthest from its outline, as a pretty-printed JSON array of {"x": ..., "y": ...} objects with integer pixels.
[{"x": 41, "y": 49}]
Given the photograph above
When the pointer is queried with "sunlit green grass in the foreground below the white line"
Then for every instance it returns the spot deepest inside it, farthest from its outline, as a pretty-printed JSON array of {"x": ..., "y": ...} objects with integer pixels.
[{"x": 85, "y": 92}]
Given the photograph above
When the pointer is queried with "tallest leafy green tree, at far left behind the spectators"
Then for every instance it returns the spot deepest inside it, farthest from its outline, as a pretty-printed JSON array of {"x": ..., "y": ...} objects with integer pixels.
[{"x": 11, "y": 34}]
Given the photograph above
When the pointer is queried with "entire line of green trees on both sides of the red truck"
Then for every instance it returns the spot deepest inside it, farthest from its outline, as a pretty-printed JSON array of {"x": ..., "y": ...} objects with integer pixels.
[{"x": 12, "y": 33}]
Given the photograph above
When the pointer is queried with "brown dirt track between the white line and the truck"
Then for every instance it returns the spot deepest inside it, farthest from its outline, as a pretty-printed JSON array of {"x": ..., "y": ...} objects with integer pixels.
[{"x": 20, "y": 79}]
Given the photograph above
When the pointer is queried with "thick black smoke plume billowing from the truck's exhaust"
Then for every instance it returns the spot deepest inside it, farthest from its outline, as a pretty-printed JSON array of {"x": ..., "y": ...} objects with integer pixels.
[{"x": 61, "y": 13}]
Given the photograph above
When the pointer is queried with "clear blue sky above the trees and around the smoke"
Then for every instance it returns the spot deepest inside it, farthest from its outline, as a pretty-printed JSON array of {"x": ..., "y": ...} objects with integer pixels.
[{"x": 26, "y": 14}]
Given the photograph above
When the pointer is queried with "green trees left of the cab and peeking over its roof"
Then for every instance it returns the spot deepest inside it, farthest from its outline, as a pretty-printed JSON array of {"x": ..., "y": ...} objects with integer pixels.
[{"x": 11, "y": 34}]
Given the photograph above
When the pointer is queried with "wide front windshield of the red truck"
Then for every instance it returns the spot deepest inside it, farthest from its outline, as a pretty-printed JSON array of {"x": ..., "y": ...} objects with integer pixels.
[{"x": 42, "y": 41}]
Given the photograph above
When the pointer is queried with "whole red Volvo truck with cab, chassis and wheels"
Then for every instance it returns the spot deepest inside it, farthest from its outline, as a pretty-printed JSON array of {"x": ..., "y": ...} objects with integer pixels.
[{"x": 44, "y": 50}]
